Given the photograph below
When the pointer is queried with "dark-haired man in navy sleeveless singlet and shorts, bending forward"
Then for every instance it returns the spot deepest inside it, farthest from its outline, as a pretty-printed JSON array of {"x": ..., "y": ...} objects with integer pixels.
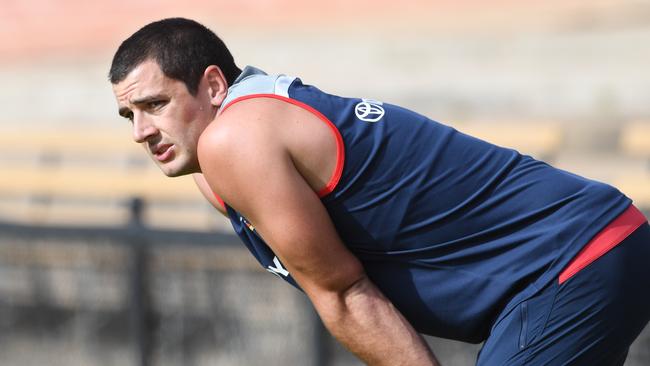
[{"x": 391, "y": 223}]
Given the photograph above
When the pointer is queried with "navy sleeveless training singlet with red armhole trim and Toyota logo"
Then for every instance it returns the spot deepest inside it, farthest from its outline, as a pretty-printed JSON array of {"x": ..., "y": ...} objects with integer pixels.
[{"x": 449, "y": 227}]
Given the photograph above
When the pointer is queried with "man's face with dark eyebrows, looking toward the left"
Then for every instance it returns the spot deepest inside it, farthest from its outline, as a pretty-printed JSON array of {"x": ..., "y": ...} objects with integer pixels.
[{"x": 167, "y": 120}]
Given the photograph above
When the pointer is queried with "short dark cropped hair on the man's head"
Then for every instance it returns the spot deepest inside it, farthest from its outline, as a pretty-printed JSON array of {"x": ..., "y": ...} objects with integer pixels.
[{"x": 182, "y": 48}]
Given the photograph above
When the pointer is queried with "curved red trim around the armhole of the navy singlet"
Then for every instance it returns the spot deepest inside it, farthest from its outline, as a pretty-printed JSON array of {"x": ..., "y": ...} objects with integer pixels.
[{"x": 340, "y": 148}]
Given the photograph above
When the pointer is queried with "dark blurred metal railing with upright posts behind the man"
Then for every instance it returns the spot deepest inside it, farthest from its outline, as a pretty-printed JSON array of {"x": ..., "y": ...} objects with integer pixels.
[{"x": 138, "y": 241}]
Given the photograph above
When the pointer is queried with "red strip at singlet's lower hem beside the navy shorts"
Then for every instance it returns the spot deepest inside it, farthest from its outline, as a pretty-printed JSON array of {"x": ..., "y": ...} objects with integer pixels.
[{"x": 605, "y": 240}]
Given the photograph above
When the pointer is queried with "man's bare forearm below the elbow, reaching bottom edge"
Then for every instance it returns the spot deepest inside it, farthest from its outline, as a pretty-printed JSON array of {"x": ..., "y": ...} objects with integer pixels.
[{"x": 367, "y": 323}]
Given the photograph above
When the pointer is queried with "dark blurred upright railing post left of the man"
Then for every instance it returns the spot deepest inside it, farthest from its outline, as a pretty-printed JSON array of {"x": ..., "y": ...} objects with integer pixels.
[{"x": 140, "y": 314}]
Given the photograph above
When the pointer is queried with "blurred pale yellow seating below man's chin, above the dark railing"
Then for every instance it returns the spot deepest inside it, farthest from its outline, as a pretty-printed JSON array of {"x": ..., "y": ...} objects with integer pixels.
[{"x": 86, "y": 177}]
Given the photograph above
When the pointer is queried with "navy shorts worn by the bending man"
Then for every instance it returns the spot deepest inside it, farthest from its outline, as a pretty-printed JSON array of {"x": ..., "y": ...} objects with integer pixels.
[{"x": 591, "y": 318}]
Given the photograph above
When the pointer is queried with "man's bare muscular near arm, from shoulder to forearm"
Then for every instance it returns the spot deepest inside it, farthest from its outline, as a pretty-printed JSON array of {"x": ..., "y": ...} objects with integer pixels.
[{"x": 263, "y": 184}]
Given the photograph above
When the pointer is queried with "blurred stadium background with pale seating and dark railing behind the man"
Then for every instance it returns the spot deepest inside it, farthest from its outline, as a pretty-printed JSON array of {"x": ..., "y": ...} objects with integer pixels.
[{"x": 103, "y": 261}]
